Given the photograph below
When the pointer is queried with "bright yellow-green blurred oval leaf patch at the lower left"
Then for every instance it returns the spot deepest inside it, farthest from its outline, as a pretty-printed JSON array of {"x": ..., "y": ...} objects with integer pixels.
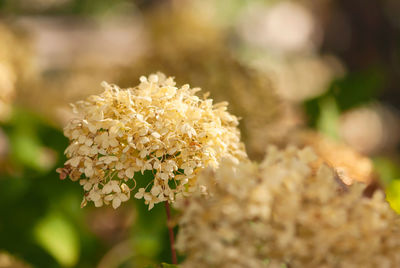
[{"x": 59, "y": 238}]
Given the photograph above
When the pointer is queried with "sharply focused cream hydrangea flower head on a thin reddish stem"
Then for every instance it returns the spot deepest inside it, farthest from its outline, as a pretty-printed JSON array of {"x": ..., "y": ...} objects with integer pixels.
[{"x": 154, "y": 126}]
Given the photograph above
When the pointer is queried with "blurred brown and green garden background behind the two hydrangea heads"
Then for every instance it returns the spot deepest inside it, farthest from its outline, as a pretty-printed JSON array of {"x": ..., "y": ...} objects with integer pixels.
[{"x": 323, "y": 73}]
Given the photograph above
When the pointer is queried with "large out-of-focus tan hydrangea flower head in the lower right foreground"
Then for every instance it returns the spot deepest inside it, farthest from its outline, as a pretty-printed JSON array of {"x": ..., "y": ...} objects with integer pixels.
[{"x": 287, "y": 210}]
